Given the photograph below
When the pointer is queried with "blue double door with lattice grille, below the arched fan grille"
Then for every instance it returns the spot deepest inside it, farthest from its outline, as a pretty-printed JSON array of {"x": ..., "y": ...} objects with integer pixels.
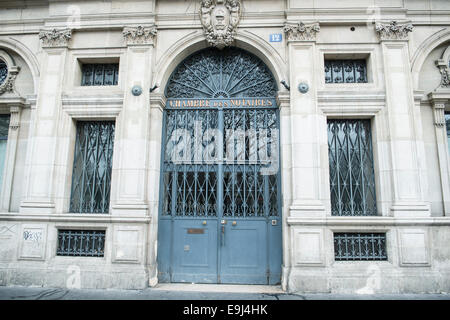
[{"x": 220, "y": 221}]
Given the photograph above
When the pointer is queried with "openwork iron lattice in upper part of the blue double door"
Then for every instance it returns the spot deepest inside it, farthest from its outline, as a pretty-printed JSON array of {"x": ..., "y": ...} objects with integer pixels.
[{"x": 191, "y": 189}]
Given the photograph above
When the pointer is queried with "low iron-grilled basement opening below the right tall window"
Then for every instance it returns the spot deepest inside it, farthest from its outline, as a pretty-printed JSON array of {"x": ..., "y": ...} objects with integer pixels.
[{"x": 360, "y": 246}]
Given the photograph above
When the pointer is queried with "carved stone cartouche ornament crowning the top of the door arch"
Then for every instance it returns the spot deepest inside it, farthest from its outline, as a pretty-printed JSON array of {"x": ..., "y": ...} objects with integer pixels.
[{"x": 219, "y": 20}]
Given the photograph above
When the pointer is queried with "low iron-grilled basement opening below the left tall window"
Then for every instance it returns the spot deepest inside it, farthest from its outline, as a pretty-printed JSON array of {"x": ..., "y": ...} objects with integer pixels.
[{"x": 81, "y": 243}]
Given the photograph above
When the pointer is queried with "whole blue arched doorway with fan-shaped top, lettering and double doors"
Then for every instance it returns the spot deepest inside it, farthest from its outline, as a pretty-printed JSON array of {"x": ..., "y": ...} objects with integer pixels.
[{"x": 220, "y": 208}]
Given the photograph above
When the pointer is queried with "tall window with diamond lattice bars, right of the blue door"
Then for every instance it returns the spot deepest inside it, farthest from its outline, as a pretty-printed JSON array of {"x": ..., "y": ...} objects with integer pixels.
[{"x": 352, "y": 180}]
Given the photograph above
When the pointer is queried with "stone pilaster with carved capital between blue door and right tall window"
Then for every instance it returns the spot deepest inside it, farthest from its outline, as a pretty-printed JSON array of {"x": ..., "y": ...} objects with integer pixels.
[{"x": 305, "y": 121}]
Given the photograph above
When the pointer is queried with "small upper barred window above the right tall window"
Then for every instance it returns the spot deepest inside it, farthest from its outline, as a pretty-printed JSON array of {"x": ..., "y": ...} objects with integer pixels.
[{"x": 345, "y": 71}]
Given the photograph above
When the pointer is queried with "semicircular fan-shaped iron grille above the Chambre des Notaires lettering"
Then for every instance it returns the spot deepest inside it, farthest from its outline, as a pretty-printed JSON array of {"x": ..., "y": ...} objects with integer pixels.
[{"x": 227, "y": 73}]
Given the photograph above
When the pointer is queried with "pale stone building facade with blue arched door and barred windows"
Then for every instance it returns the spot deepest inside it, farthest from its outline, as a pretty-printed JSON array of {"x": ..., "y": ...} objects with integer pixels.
[{"x": 354, "y": 95}]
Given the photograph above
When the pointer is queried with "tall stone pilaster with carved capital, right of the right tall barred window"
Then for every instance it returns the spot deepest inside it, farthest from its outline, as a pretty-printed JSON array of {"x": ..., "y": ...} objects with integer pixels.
[{"x": 403, "y": 139}]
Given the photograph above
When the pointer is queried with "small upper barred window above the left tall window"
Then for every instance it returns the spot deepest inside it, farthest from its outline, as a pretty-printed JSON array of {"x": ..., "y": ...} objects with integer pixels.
[{"x": 99, "y": 74}]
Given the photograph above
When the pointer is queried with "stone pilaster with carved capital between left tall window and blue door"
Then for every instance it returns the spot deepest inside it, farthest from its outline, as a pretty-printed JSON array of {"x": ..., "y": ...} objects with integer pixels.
[{"x": 129, "y": 189}]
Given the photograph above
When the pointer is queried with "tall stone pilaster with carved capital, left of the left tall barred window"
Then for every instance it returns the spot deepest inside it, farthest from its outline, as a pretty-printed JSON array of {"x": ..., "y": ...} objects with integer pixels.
[{"x": 41, "y": 155}]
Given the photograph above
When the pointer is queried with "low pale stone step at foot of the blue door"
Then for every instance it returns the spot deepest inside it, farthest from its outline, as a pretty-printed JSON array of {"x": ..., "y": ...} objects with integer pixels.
[{"x": 235, "y": 288}]
